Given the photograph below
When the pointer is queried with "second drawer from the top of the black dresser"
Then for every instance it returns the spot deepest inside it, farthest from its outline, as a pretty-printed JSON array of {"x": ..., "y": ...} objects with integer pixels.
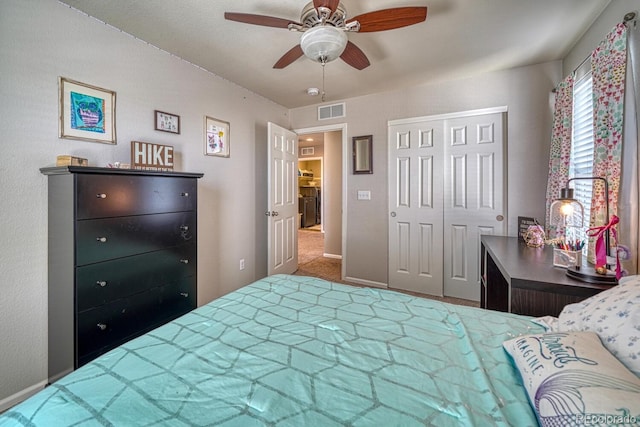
[{"x": 109, "y": 238}]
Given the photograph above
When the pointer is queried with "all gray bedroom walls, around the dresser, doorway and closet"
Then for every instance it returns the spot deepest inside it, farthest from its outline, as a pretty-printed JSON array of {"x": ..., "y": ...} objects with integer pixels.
[{"x": 42, "y": 39}]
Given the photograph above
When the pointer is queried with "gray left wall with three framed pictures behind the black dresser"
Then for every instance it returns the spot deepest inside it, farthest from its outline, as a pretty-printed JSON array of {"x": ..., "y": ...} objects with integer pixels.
[{"x": 43, "y": 39}]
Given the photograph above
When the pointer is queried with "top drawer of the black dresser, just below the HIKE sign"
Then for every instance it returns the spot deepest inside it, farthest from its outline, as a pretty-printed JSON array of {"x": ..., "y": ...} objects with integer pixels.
[{"x": 102, "y": 196}]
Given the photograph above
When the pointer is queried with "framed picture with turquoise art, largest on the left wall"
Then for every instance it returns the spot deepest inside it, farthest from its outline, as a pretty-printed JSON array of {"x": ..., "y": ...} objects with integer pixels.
[{"x": 87, "y": 112}]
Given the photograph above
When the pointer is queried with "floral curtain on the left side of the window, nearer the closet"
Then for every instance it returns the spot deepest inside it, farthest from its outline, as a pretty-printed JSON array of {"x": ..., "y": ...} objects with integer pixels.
[{"x": 560, "y": 154}]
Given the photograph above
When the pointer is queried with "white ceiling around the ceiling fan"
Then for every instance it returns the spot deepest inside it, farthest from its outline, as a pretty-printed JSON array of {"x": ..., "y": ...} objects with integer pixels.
[{"x": 459, "y": 38}]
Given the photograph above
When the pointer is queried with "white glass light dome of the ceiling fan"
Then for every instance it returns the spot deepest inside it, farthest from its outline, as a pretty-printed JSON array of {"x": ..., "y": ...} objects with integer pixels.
[{"x": 323, "y": 43}]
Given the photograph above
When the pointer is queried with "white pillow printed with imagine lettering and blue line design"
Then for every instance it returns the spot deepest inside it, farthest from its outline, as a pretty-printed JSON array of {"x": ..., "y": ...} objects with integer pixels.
[{"x": 571, "y": 379}]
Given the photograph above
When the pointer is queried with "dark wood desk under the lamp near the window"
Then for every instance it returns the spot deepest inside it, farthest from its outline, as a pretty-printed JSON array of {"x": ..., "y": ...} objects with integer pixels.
[{"x": 519, "y": 279}]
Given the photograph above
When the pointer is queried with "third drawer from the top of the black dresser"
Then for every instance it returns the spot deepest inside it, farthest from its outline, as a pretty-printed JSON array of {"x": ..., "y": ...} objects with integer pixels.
[{"x": 103, "y": 282}]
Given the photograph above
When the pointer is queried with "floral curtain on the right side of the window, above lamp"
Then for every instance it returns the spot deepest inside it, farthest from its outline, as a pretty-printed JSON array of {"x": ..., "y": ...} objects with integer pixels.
[{"x": 608, "y": 69}]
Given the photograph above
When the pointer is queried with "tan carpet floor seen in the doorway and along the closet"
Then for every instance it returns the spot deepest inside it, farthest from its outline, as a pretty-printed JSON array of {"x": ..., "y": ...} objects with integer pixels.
[{"x": 311, "y": 262}]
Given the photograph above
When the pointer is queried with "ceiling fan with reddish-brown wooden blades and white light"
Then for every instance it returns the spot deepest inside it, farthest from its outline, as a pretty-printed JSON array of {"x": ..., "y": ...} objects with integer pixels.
[{"x": 324, "y": 25}]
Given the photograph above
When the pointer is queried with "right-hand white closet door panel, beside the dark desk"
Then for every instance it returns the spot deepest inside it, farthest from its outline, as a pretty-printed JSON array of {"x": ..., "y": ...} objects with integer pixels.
[{"x": 474, "y": 199}]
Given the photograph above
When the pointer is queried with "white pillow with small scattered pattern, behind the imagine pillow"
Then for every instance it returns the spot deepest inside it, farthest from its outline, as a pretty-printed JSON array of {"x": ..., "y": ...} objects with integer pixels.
[{"x": 614, "y": 315}]
